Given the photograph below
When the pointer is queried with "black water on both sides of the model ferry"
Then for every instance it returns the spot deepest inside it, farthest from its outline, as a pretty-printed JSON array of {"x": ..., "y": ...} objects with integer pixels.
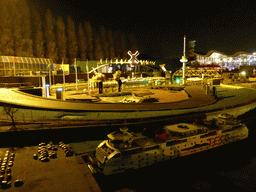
[{"x": 225, "y": 168}]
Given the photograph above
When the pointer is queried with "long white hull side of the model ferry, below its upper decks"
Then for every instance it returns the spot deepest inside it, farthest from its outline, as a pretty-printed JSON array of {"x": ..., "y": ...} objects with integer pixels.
[{"x": 140, "y": 157}]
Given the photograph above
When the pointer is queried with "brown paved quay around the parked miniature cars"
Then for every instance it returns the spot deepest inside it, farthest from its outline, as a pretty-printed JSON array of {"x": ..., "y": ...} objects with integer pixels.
[{"x": 60, "y": 174}]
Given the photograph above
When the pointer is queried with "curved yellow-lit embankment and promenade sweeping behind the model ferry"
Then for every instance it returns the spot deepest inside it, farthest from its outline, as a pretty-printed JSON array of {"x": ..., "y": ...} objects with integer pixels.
[{"x": 65, "y": 114}]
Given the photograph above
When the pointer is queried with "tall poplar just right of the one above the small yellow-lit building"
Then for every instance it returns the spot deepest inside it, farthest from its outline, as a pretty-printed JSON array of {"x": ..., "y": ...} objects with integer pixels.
[{"x": 72, "y": 41}]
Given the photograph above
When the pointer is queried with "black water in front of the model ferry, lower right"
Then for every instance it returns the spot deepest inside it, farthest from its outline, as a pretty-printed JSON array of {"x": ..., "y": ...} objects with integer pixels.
[{"x": 225, "y": 168}]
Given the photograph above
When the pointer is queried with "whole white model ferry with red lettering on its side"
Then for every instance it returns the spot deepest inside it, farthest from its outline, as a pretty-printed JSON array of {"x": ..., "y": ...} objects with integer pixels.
[{"x": 124, "y": 150}]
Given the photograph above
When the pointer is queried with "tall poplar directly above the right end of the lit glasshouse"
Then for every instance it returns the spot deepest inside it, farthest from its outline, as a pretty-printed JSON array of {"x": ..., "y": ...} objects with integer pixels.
[{"x": 50, "y": 40}]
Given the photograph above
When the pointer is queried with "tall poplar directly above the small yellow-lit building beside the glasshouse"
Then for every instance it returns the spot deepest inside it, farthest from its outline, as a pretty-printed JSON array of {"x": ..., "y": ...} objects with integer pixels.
[{"x": 61, "y": 39}]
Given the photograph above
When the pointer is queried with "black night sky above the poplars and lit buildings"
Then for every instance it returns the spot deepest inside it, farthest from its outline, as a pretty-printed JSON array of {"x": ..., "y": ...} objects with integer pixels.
[{"x": 159, "y": 27}]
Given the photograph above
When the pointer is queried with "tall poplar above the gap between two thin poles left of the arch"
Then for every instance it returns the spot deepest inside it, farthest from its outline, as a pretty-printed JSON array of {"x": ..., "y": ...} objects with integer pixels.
[{"x": 82, "y": 43}]
